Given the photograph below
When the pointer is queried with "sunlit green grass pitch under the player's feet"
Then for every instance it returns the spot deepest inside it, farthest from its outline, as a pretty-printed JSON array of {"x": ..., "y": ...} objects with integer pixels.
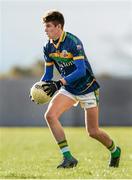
[{"x": 32, "y": 153}]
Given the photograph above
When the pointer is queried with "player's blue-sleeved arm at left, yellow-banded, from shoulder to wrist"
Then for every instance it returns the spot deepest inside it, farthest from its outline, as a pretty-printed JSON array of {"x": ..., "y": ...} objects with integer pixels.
[{"x": 49, "y": 64}]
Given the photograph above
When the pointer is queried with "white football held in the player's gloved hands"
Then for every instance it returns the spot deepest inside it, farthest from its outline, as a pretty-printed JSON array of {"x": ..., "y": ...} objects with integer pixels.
[{"x": 38, "y": 95}]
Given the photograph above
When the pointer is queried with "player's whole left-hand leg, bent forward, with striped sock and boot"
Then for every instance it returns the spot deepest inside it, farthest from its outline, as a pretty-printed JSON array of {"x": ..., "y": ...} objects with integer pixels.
[{"x": 59, "y": 104}]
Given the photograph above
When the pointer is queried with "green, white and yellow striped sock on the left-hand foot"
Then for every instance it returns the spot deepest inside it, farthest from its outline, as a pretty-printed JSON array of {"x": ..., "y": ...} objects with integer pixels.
[{"x": 65, "y": 149}]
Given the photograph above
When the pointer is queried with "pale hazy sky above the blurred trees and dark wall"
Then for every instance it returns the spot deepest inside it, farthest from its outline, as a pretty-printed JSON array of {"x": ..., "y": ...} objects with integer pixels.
[{"x": 104, "y": 27}]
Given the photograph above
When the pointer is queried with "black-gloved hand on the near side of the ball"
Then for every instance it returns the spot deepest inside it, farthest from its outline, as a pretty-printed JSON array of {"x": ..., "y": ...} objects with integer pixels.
[{"x": 51, "y": 87}]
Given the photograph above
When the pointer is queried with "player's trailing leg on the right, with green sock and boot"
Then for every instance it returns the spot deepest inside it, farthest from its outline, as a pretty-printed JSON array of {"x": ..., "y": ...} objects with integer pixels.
[{"x": 92, "y": 127}]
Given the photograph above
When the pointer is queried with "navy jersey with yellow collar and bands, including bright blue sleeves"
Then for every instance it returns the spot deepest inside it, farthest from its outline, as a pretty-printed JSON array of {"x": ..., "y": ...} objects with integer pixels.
[{"x": 68, "y": 56}]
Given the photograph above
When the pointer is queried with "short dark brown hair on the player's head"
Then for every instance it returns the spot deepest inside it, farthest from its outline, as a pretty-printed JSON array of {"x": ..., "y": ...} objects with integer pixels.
[{"x": 55, "y": 17}]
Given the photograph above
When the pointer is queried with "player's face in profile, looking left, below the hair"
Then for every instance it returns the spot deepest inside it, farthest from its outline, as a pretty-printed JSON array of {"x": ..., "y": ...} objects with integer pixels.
[{"x": 51, "y": 30}]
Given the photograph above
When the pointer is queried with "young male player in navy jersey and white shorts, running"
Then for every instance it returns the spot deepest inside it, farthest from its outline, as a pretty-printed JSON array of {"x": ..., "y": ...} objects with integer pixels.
[{"x": 78, "y": 85}]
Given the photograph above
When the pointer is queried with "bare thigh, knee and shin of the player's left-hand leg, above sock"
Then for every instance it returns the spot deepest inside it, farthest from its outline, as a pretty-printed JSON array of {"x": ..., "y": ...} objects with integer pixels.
[{"x": 57, "y": 106}]
